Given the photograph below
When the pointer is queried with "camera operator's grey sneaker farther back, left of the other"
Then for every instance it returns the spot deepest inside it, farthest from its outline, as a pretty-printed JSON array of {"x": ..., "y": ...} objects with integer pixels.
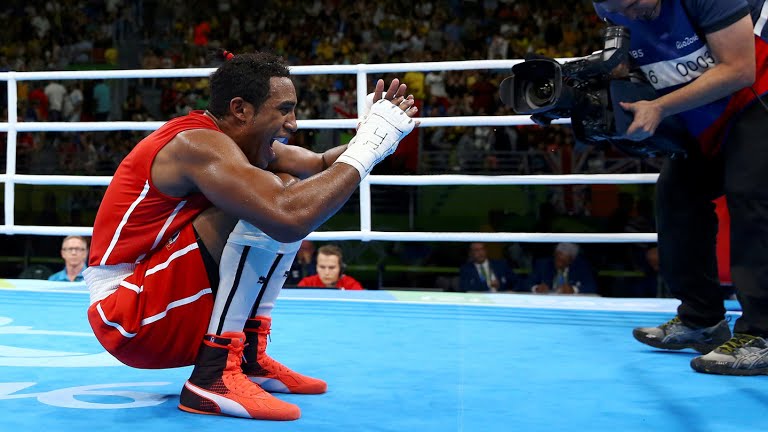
[{"x": 675, "y": 335}]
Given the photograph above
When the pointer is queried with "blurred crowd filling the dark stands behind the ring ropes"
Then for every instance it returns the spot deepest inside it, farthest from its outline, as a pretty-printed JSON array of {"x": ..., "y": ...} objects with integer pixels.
[{"x": 133, "y": 34}]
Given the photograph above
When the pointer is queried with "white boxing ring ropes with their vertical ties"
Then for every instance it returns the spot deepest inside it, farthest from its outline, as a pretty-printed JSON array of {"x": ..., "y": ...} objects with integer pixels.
[{"x": 13, "y": 126}]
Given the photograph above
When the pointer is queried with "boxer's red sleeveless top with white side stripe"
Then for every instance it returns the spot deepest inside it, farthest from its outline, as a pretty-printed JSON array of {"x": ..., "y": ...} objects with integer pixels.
[{"x": 134, "y": 217}]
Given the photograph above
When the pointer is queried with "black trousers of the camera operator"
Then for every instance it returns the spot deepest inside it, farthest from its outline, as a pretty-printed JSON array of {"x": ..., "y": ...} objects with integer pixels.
[{"x": 687, "y": 226}]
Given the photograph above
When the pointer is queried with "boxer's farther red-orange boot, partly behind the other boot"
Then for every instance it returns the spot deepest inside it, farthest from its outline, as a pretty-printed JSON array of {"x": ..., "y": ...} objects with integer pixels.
[{"x": 270, "y": 374}]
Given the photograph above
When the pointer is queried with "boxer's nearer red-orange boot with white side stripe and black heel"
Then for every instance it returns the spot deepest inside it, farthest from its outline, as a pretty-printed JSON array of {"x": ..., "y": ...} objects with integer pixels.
[{"x": 218, "y": 386}]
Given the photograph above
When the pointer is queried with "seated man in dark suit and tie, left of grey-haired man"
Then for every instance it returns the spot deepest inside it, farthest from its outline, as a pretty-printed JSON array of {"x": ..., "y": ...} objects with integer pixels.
[{"x": 483, "y": 274}]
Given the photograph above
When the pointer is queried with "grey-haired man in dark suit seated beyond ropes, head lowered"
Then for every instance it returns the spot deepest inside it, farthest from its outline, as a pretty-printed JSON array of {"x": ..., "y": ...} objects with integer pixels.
[{"x": 563, "y": 273}]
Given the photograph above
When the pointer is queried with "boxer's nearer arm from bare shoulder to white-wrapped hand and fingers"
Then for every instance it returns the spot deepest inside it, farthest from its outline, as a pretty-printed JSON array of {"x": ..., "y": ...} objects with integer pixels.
[{"x": 210, "y": 162}]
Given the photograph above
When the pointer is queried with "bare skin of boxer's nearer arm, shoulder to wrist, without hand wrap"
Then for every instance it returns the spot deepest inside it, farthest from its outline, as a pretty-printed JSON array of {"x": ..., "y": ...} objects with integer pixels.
[{"x": 211, "y": 163}]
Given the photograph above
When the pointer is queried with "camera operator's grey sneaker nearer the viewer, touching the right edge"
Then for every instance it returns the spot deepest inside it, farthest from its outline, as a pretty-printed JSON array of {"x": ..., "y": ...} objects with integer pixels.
[{"x": 742, "y": 355}]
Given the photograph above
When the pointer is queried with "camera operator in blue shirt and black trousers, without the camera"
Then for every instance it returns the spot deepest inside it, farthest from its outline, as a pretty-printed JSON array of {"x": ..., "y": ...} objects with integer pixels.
[{"x": 708, "y": 59}]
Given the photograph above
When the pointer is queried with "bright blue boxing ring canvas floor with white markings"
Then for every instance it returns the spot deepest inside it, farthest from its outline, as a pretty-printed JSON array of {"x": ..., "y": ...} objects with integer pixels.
[{"x": 394, "y": 361}]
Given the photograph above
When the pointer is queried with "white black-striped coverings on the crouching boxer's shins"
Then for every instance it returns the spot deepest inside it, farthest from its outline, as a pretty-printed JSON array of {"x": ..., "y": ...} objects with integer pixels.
[{"x": 252, "y": 272}]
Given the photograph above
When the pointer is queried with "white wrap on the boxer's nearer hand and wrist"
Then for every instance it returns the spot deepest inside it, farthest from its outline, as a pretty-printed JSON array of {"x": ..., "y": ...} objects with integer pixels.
[{"x": 377, "y": 137}]
